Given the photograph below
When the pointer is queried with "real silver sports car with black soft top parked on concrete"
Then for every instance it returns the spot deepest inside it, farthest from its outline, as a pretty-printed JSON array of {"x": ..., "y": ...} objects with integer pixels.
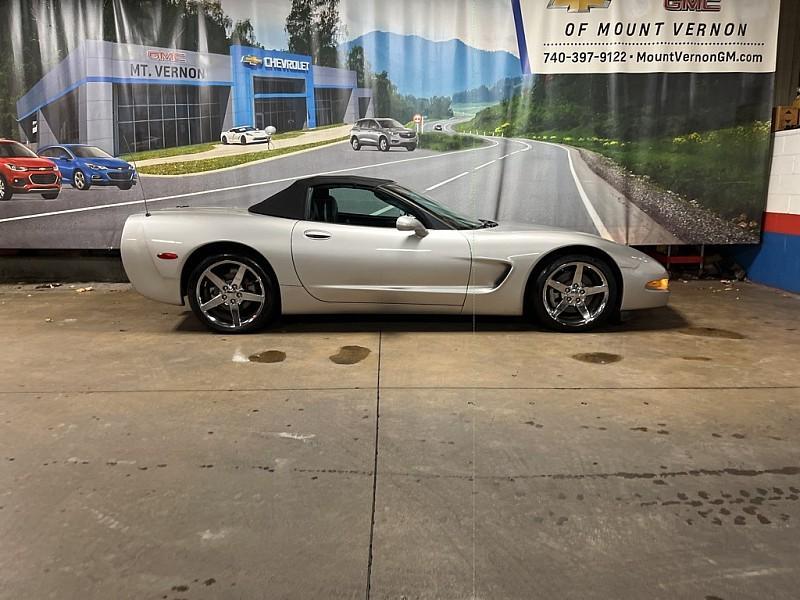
[{"x": 357, "y": 245}]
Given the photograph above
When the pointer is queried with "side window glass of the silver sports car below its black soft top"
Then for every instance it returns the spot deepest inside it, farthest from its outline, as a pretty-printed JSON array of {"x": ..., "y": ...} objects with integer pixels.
[{"x": 354, "y": 206}]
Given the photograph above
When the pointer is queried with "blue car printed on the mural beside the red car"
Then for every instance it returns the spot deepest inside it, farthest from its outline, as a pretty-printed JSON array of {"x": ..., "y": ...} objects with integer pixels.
[{"x": 84, "y": 166}]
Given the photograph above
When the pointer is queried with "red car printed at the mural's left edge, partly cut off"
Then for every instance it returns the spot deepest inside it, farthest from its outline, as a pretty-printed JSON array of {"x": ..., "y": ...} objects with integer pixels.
[{"x": 23, "y": 172}]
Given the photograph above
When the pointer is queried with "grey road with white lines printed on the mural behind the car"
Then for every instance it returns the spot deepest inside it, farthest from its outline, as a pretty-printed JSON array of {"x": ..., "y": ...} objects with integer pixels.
[{"x": 507, "y": 179}]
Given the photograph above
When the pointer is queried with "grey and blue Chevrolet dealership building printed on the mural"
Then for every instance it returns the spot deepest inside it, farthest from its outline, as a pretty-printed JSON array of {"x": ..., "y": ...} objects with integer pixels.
[{"x": 126, "y": 97}]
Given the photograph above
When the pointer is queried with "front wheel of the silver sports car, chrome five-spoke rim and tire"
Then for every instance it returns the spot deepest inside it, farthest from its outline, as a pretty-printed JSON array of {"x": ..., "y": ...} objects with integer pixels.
[{"x": 584, "y": 306}]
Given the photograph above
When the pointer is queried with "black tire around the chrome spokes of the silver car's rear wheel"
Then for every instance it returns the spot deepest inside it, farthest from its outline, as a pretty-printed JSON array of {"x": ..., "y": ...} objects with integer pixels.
[{"x": 220, "y": 318}]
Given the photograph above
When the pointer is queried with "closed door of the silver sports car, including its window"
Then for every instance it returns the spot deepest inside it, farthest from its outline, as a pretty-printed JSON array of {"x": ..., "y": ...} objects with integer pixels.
[{"x": 349, "y": 250}]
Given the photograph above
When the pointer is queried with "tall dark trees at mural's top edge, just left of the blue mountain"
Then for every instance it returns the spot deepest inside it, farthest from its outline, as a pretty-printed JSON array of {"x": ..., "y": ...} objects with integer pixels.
[{"x": 313, "y": 28}]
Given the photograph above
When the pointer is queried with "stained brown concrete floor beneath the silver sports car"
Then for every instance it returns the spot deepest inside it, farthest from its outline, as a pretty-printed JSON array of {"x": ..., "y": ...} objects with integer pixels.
[{"x": 141, "y": 457}]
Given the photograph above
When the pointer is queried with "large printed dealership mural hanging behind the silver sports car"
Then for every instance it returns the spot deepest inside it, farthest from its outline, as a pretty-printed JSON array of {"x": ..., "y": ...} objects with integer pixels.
[{"x": 643, "y": 121}]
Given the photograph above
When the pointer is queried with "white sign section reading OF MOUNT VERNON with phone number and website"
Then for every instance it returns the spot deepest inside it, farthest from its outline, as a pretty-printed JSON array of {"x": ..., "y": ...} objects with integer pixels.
[{"x": 648, "y": 36}]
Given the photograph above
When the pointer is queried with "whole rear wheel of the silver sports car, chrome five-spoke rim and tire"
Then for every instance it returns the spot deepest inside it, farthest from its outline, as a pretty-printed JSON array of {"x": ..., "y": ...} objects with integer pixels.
[{"x": 232, "y": 293}]
